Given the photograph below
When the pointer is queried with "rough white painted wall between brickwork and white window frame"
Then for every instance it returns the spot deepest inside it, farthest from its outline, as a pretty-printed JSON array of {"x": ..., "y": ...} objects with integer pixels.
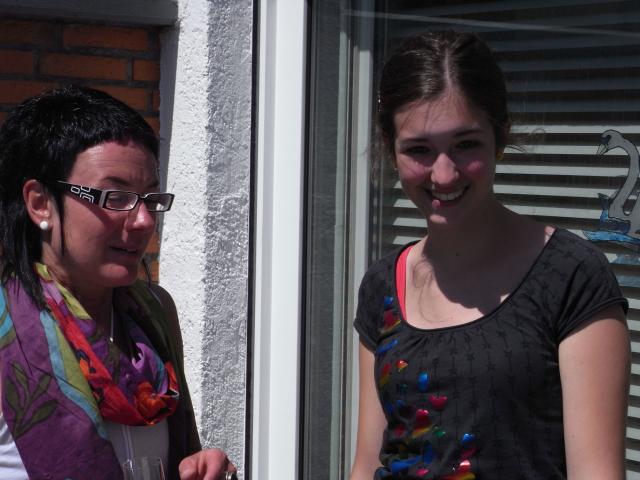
[{"x": 204, "y": 260}]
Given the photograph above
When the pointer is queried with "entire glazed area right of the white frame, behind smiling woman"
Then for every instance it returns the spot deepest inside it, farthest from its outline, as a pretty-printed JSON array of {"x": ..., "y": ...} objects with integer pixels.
[{"x": 573, "y": 71}]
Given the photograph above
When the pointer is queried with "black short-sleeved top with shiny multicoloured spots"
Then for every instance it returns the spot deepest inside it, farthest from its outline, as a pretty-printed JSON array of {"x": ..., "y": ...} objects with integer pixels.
[{"x": 482, "y": 400}]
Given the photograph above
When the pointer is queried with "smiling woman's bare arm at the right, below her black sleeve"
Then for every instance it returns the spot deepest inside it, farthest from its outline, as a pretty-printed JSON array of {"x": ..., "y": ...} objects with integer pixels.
[{"x": 594, "y": 370}]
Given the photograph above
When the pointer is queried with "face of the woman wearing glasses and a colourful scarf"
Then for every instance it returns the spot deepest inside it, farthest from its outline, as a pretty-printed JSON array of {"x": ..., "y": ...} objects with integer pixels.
[{"x": 103, "y": 248}]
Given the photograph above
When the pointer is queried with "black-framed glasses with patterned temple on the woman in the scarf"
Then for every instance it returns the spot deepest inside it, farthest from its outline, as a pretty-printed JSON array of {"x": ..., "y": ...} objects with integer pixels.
[{"x": 120, "y": 200}]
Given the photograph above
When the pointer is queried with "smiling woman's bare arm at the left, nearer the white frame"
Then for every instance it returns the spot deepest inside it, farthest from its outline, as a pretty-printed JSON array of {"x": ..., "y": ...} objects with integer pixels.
[{"x": 371, "y": 421}]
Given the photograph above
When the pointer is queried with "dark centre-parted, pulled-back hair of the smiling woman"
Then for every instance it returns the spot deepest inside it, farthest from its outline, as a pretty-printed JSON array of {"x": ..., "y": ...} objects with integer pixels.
[{"x": 427, "y": 64}]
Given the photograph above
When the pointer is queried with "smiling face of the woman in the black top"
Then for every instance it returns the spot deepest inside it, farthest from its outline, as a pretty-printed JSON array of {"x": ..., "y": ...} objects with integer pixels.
[{"x": 445, "y": 154}]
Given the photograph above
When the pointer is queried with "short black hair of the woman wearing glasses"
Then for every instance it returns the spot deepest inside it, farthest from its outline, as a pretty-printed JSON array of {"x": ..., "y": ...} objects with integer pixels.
[{"x": 41, "y": 139}]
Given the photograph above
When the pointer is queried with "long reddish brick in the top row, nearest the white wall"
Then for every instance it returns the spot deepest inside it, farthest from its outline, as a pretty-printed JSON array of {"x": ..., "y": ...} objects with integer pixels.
[{"x": 105, "y": 37}]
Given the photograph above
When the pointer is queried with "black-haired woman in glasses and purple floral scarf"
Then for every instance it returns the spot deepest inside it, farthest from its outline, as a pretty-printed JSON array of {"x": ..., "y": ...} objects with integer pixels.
[{"x": 90, "y": 357}]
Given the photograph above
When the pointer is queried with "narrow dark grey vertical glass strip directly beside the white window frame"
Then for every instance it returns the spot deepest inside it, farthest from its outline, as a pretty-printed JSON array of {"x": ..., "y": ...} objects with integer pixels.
[{"x": 327, "y": 230}]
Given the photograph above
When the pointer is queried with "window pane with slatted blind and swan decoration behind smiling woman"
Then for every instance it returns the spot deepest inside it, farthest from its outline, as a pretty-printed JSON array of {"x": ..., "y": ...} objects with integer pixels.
[{"x": 573, "y": 76}]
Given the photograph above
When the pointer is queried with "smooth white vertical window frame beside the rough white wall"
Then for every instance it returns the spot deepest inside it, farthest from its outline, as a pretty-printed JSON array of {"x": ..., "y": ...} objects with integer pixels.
[{"x": 279, "y": 224}]
